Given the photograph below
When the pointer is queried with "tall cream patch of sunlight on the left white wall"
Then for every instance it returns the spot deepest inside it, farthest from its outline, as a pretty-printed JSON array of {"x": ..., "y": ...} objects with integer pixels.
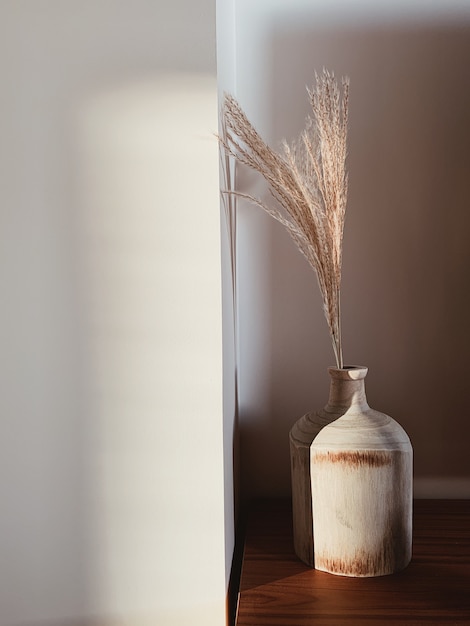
[{"x": 151, "y": 251}]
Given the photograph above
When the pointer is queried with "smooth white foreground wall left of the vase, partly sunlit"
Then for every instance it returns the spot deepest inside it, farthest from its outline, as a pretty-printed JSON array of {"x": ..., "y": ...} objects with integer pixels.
[{"x": 115, "y": 504}]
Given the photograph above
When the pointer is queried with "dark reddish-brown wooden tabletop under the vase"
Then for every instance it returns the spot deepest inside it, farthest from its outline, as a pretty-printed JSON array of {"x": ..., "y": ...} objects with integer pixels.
[{"x": 276, "y": 588}]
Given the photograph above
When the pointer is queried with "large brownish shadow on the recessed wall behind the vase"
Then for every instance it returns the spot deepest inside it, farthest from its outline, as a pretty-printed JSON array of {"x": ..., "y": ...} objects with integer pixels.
[{"x": 406, "y": 253}]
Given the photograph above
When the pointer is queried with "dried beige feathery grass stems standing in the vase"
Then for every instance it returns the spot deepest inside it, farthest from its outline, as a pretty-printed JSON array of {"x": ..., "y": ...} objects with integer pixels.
[{"x": 308, "y": 181}]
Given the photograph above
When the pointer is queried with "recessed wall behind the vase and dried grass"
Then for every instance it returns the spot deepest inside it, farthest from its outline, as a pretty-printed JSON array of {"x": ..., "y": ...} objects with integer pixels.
[{"x": 406, "y": 260}]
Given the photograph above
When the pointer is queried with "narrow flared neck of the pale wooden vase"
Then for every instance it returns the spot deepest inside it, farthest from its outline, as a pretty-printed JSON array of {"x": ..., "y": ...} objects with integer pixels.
[{"x": 347, "y": 389}]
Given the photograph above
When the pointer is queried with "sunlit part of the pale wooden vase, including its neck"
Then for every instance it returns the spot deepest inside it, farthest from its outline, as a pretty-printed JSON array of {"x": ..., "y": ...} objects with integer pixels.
[{"x": 361, "y": 468}]
